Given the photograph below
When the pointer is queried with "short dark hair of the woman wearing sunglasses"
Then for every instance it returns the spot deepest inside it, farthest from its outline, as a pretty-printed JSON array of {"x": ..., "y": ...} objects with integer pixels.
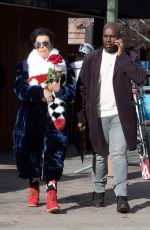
[{"x": 42, "y": 31}]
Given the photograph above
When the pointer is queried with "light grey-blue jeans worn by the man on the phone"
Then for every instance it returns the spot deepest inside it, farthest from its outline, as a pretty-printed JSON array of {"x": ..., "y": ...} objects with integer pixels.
[{"x": 117, "y": 147}]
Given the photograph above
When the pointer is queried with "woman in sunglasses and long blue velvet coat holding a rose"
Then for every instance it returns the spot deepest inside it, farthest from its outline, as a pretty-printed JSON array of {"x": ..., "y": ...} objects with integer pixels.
[{"x": 40, "y": 133}]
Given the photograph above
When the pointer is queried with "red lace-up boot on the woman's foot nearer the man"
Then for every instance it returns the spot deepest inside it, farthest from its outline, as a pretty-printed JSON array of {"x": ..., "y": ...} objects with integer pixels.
[{"x": 51, "y": 202}]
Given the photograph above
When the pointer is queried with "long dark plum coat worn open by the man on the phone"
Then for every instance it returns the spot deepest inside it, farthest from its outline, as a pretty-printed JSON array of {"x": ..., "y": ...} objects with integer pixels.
[{"x": 126, "y": 68}]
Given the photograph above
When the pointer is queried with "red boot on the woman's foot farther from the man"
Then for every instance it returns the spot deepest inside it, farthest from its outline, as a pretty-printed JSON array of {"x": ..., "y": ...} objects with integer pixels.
[{"x": 34, "y": 193}]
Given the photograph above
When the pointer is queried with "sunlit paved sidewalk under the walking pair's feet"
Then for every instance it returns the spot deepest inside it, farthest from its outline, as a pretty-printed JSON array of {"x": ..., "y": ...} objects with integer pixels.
[{"x": 75, "y": 199}]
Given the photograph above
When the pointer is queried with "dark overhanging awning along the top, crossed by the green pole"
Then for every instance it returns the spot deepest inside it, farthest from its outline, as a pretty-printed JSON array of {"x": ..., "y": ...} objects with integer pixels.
[{"x": 95, "y": 8}]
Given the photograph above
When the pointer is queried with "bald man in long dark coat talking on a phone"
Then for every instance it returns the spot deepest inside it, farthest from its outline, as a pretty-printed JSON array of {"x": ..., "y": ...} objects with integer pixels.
[{"x": 105, "y": 104}]
